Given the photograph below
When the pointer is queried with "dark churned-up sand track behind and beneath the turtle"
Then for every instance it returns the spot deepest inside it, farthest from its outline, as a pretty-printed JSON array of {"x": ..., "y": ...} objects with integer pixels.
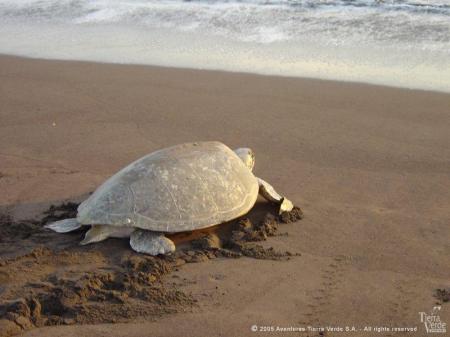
[{"x": 49, "y": 279}]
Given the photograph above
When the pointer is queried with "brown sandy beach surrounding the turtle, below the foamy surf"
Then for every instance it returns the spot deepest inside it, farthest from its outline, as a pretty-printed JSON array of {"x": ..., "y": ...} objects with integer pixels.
[{"x": 369, "y": 165}]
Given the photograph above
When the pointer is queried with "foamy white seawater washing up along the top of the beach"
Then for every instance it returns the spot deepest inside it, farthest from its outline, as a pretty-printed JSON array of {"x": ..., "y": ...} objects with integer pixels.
[{"x": 402, "y": 43}]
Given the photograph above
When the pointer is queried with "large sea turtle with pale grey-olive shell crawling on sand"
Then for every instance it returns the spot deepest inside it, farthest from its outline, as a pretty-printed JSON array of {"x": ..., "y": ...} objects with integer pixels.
[{"x": 181, "y": 188}]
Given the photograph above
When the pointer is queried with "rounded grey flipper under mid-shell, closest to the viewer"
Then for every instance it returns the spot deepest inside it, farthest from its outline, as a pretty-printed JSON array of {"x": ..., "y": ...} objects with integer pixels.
[{"x": 152, "y": 243}]
